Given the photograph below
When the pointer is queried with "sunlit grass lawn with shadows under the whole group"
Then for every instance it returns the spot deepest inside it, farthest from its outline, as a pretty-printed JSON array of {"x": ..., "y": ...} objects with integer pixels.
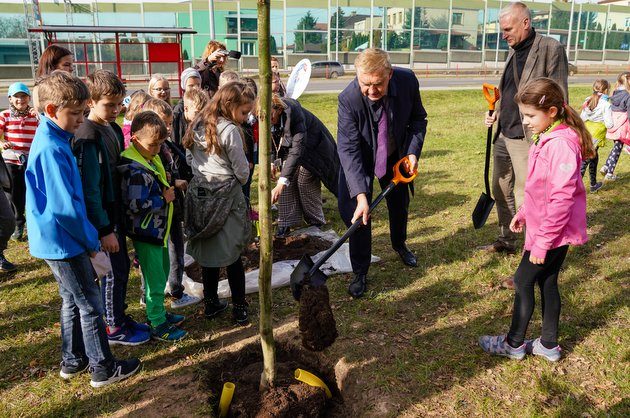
[{"x": 409, "y": 347}]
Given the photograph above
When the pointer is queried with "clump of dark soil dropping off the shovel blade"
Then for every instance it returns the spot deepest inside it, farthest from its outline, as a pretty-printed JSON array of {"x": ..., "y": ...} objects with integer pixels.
[{"x": 318, "y": 328}]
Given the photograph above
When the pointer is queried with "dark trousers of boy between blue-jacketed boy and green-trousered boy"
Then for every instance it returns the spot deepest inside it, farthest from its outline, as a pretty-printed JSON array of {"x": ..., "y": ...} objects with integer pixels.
[{"x": 114, "y": 286}]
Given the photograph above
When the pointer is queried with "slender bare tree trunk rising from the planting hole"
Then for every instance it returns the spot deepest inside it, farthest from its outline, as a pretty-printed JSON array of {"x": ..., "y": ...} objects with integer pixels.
[{"x": 264, "y": 197}]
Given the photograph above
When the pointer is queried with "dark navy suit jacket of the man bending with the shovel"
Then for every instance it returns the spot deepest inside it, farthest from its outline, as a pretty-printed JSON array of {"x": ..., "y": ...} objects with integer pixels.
[{"x": 357, "y": 132}]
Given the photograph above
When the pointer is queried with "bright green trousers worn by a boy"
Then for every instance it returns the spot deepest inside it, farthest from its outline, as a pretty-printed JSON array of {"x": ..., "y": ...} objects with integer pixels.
[{"x": 155, "y": 266}]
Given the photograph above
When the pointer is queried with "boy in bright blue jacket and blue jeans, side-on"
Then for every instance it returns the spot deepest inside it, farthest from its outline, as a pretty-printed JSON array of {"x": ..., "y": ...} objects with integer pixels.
[{"x": 60, "y": 233}]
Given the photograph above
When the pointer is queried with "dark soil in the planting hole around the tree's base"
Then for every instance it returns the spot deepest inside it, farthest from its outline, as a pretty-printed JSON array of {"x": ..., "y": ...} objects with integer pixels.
[{"x": 288, "y": 398}]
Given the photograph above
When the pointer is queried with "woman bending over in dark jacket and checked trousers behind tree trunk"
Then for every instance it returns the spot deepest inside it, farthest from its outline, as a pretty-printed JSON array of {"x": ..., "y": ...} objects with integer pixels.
[{"x": 305, "y": 154}]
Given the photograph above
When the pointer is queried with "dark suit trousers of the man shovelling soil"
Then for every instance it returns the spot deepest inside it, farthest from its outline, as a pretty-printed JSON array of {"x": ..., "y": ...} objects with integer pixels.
[{"x": 398, "y": 211}]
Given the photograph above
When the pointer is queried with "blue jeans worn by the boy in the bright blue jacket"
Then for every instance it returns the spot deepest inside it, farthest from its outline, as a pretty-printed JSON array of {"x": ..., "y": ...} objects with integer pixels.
[{"x": 82, "y": 326}]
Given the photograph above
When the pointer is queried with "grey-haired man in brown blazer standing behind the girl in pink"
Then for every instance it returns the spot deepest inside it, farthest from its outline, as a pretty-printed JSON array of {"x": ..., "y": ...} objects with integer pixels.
[{"x": 531, "y": 56}]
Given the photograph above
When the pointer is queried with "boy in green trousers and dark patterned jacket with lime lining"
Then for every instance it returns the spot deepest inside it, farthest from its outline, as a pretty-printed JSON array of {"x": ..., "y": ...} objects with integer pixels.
[{"x": 148, "y": 197}]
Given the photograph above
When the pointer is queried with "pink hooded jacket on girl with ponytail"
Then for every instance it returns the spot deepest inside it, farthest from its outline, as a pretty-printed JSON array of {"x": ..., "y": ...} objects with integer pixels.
[{"x": 554, "y": 209}]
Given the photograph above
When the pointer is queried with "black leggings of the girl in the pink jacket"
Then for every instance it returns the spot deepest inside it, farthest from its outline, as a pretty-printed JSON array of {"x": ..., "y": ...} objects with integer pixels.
[{"x": 526, "y": 276}]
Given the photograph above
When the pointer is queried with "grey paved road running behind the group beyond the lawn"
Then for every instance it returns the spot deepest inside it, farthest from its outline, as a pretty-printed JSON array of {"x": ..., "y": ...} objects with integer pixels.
[{"x": 320, "y": 85}]
